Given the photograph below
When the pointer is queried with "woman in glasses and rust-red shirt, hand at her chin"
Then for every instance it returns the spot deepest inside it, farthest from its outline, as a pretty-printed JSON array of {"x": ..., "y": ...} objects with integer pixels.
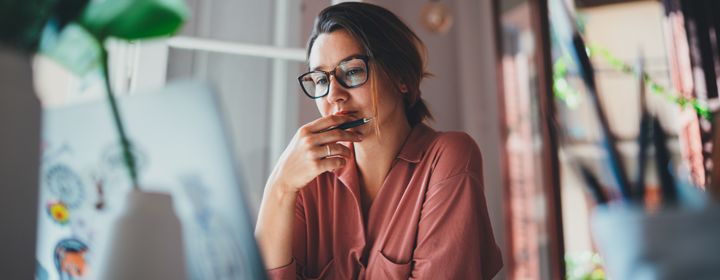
[{"x": 391, "y": 199}]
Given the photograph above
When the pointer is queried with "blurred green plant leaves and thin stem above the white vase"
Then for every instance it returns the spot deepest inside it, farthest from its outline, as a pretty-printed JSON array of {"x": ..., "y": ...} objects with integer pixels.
[{"x": 72, "y": 32}]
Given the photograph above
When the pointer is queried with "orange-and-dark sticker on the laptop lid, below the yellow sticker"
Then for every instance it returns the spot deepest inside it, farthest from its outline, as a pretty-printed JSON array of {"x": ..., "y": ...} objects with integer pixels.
[{"x": 71, "y": 259}]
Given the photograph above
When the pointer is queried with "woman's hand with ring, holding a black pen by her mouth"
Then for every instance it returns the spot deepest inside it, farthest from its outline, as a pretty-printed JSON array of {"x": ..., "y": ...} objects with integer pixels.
[{"x": 307, "y": 155}]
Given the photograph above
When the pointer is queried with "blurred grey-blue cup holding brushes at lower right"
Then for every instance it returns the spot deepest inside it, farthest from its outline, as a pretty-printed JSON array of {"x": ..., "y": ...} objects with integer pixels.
[{"x": 675, "y": 243}]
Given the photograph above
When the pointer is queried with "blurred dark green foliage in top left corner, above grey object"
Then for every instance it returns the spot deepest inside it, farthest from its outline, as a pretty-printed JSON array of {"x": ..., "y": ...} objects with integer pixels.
[{"x": 22, "y": 22}]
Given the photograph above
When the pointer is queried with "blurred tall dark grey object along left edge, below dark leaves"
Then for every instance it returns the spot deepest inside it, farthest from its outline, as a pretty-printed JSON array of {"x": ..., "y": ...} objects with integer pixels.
[{"x": 19, "y": 162}]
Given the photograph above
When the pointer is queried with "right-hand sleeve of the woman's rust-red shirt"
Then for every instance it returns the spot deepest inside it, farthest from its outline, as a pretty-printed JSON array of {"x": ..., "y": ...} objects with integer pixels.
[{"x": 455, "y": 238}]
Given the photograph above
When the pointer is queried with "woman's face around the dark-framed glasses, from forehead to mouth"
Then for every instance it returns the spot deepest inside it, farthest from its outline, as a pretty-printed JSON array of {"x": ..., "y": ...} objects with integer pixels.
[{"x": 327, "y": 52}]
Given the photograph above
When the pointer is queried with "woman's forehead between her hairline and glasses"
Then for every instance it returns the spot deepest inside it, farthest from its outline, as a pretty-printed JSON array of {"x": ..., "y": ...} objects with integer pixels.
[{"x": 332, "y": 48}]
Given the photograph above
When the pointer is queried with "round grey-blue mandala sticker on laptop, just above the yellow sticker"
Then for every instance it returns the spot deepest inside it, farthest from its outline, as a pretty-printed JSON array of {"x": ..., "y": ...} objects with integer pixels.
[{"x": 65, "y": 184}]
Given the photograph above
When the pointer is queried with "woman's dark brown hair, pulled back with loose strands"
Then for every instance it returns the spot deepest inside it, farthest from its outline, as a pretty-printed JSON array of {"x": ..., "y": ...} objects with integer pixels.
[{"x": 395, "y": 52}]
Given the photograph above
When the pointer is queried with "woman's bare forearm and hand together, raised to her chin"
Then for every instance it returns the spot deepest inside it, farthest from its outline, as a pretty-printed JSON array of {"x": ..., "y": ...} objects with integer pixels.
[{"x": 304, "y": 159}]
